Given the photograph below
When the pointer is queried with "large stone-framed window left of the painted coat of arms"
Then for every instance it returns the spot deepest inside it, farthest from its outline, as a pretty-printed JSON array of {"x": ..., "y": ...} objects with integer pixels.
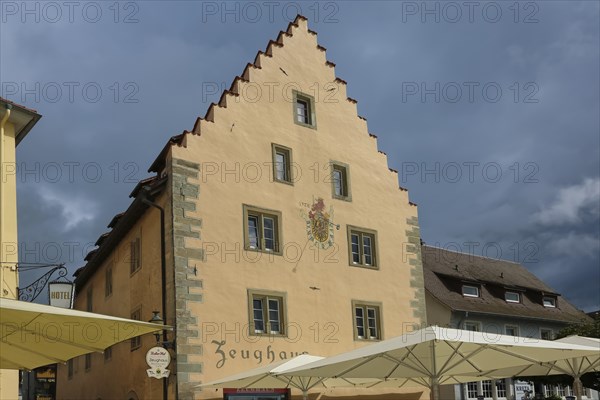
[{"x": 262, "y": 229}]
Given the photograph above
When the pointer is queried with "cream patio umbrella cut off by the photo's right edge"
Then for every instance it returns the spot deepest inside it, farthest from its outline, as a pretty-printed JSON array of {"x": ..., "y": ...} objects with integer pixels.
[{"x": 573, "y": 366}]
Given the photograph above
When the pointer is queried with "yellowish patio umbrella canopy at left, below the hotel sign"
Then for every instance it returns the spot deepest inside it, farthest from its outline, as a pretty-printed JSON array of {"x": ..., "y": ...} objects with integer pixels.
[{"x": 33, "y": 335}]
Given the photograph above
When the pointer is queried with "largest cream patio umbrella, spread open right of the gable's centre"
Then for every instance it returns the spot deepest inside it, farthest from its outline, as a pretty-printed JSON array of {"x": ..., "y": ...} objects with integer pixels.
[{"x": 433, "y": 356}]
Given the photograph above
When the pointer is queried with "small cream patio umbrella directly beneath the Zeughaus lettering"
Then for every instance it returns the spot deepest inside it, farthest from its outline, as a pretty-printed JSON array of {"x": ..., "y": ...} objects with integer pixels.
[{"x": 269, "y": 376}]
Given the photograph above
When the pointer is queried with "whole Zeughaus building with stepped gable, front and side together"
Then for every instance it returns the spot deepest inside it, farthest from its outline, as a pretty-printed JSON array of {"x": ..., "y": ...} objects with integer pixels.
[{"x": 286, "y": 232}]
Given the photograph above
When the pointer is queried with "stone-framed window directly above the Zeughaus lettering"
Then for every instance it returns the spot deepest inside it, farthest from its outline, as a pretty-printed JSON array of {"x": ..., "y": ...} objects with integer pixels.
[{"x": 267, "y": 313}]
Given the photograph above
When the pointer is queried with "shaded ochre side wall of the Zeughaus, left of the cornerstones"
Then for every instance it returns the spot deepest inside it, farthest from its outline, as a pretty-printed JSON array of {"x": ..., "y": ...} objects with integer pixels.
[{"x": 123, "y": 376}]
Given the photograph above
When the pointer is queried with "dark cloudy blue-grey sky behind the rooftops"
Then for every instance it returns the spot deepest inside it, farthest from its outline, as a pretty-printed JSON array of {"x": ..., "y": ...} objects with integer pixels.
[{"x": 488, "y": 110}]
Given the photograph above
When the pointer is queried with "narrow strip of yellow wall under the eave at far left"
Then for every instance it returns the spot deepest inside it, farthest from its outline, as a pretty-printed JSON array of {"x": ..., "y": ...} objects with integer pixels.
[{"x": 8, "y": 241}]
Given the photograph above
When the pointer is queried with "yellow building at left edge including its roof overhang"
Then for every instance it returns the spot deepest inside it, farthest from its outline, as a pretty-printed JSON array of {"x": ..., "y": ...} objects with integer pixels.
[{"x": 15, "y": 123}]
